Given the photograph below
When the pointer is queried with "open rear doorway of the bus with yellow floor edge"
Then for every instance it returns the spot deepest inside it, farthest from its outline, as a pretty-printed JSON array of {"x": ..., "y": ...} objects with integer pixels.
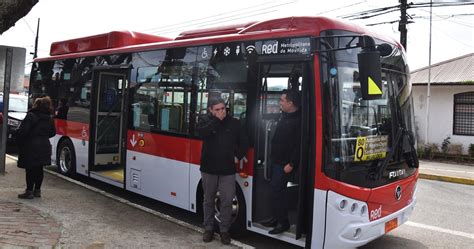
[{"x": 107, "y": 147}]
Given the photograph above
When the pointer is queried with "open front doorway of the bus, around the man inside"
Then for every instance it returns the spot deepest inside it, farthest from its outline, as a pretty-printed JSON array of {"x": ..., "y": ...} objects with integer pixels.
[{"x": 273, "y": 79}]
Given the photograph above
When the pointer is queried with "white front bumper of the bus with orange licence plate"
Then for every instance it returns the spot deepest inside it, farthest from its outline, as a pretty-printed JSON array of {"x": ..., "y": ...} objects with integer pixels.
[{"x": 348, "y": 226}]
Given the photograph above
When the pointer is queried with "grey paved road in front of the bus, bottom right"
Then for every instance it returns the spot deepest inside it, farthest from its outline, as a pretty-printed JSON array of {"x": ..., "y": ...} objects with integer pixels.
[{"x": 443, "y": 218}]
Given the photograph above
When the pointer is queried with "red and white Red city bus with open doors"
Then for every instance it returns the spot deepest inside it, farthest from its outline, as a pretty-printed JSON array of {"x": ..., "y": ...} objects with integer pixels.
[{"x": 127, "y": 104}]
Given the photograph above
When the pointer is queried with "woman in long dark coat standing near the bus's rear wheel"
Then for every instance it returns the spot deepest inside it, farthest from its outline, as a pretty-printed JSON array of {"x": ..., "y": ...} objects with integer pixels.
[{"x": 34, "y": 148}]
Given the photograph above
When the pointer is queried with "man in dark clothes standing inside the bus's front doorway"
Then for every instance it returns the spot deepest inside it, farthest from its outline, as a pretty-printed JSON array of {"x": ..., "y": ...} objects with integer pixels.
[{"x": 284, "y": 158}]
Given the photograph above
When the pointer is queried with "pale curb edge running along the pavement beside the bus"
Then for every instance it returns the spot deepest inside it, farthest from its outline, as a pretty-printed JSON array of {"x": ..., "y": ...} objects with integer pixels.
[{"x": 144, "y": 209}]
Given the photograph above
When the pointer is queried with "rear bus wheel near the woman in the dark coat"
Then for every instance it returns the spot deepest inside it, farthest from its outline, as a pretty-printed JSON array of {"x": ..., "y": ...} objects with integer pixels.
[{"x": 66, "y": 158}]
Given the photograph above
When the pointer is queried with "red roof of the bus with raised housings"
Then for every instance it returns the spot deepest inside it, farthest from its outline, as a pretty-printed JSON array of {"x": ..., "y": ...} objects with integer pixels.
[{"x": 126, "y": 41}]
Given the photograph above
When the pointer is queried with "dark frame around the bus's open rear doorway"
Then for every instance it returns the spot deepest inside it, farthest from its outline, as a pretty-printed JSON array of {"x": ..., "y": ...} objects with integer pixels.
[{"x": 125, "y": 71}]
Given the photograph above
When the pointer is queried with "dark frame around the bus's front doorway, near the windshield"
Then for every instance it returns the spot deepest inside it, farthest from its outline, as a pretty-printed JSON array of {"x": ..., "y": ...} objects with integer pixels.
[{"x": 307, "y": 166}]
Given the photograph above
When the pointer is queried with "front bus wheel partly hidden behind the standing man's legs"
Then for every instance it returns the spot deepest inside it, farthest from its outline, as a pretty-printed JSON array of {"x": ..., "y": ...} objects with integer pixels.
[{"x": 239, "y": 213}]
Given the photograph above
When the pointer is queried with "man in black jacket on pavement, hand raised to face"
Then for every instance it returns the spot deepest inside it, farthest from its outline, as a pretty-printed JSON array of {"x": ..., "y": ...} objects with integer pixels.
[{"x": 224, "y": 143}]
